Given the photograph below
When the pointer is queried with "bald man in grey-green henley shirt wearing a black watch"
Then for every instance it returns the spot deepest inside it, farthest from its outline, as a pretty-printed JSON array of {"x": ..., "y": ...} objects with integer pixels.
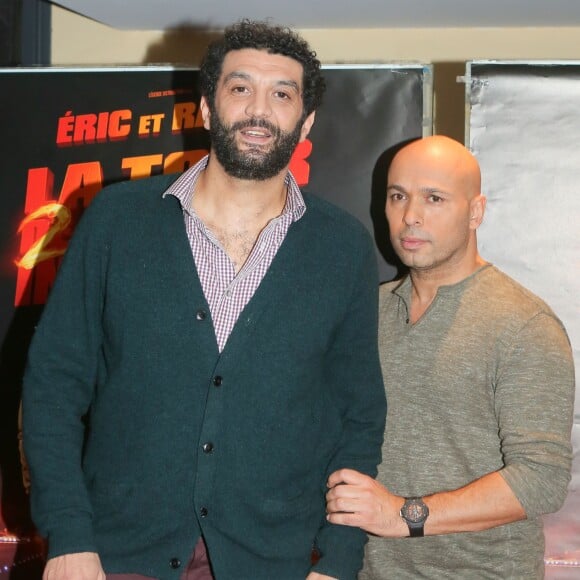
[{"x": 480, "y": 382}]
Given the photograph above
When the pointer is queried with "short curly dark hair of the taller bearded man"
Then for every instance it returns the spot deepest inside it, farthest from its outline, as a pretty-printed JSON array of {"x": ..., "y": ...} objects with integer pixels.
[{"x": 274, "y": 39}]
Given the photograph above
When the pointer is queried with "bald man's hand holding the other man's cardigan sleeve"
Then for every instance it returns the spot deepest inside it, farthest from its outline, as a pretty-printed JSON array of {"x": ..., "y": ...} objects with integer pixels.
[{"x": 358, "y": 500}]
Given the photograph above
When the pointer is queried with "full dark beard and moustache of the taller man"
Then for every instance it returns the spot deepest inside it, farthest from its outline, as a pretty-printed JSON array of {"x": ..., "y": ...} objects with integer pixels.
[{"x": 255, "y": 163}]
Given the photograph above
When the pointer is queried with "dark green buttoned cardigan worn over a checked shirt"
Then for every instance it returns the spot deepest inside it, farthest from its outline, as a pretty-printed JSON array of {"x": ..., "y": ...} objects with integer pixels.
[{"x": 127, "y": 340}]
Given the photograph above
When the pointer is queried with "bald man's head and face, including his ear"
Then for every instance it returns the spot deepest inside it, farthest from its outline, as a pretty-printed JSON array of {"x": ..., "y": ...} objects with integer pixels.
[{"x": 432, "y": 198}]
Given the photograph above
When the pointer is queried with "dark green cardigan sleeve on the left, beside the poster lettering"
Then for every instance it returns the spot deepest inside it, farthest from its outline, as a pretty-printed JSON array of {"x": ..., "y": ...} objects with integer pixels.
[{"x": 58, "y": 388}]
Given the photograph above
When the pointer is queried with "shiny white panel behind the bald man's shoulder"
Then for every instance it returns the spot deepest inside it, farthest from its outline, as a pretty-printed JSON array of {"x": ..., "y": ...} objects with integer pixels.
[{"x": 524, "y": 127}]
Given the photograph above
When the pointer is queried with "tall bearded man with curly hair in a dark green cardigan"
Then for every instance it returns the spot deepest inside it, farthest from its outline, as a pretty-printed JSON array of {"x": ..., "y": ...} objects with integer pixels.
[{"x": 208, "y": 353}]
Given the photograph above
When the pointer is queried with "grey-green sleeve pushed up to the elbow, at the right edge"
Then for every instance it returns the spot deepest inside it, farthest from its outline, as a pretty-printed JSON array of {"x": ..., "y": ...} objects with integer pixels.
[{"x": 535, "y": 405}]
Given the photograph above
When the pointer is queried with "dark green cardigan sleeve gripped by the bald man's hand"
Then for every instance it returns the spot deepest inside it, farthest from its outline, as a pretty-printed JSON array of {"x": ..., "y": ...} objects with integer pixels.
[{"x": 354, "y": 368}]
